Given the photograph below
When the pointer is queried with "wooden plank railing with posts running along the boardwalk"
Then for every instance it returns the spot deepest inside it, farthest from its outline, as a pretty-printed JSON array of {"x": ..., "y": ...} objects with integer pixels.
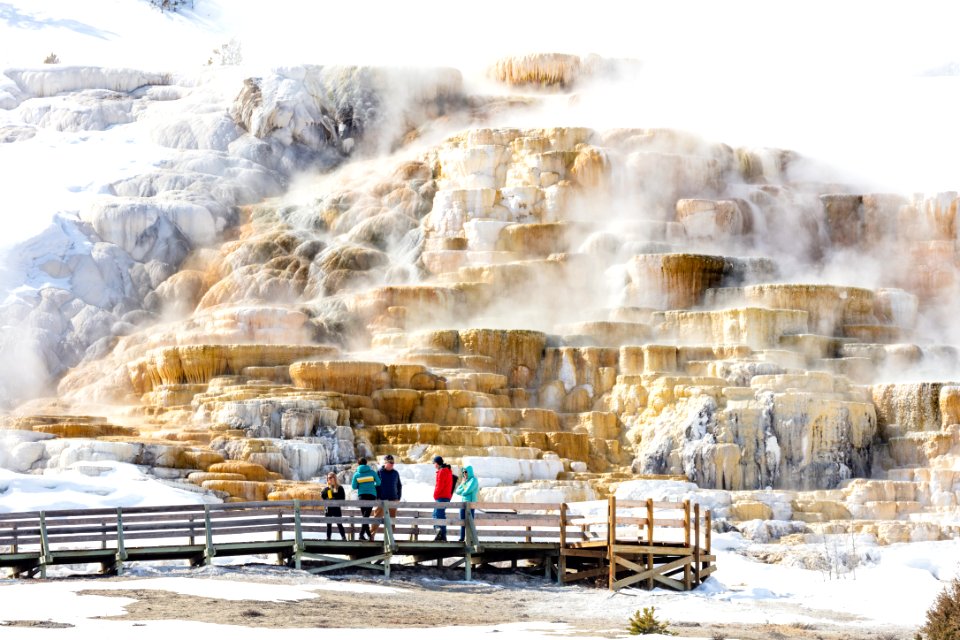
[{"x": 297, "y": 527}]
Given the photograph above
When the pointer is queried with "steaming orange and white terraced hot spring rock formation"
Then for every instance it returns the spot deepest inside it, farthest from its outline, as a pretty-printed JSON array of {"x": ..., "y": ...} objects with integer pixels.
[{"x": 574, "y": 311}]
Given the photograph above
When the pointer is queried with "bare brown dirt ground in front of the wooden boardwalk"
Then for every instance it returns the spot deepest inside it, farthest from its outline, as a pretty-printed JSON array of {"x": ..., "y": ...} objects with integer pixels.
[{"x": 439, "y": 601}]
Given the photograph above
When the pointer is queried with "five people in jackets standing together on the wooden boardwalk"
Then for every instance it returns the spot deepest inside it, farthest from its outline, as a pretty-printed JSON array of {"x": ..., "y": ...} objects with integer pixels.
[{"x": 384, "y": 485}]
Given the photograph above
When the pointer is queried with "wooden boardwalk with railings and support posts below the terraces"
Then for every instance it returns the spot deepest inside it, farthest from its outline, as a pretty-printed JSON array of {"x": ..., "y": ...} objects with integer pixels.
[{"x": 618, "y": 544}]
